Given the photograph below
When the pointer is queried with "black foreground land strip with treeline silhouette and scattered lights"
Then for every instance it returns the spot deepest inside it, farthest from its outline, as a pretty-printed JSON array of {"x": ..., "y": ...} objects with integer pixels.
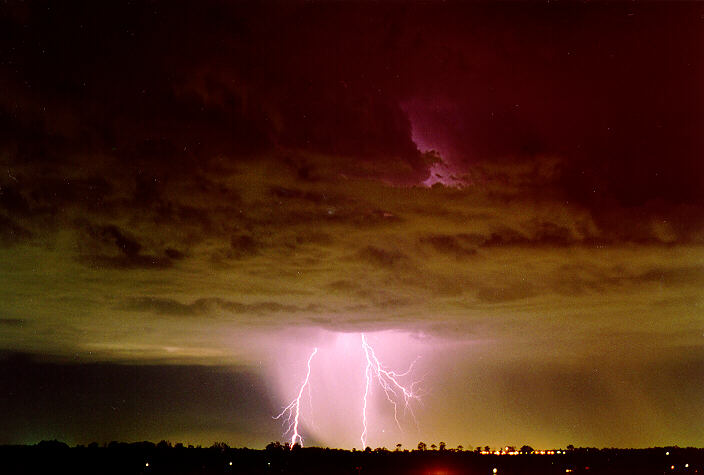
[{"x": 146, "y": 458}]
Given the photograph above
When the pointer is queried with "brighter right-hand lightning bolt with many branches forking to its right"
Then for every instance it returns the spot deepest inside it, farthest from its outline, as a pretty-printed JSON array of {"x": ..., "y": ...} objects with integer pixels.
[{"x": 388, "y": 380}]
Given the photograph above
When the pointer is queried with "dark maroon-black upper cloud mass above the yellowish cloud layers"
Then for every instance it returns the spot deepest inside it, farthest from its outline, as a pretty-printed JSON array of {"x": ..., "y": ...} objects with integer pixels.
[{"x": 172, "y": 91}]
